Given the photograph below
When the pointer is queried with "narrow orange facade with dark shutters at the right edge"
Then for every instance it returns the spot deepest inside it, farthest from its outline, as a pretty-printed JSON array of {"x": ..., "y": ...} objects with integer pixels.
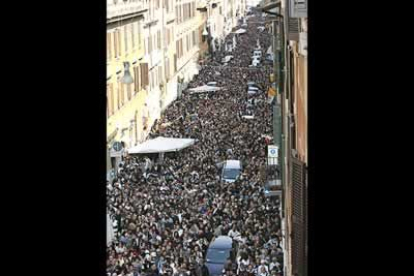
[{"x": 295, "y": 131}]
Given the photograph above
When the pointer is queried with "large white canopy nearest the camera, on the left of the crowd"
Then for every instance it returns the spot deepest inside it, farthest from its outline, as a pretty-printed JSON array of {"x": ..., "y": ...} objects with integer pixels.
[{"x": 161, "y": 144}]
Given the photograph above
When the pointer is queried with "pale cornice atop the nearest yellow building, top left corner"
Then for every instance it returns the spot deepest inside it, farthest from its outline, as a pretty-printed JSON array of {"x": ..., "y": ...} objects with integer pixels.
[{"x": 124, "y": 9}]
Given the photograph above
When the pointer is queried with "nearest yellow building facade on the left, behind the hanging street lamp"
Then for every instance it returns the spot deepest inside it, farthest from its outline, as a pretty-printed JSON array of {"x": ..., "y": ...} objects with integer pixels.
[{"x": 125, "y": 102}]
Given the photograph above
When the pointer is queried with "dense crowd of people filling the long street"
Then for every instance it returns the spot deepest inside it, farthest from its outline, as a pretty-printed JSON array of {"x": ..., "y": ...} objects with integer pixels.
[{"x": 167, "y": 212}]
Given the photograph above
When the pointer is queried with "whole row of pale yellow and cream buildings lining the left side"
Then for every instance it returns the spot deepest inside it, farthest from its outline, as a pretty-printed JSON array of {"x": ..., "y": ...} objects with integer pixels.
[{"x": 159, "y": 43}]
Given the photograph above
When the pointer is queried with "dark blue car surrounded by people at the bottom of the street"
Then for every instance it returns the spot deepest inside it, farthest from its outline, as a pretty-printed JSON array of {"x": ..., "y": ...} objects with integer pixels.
[{"x": 221, "y": 250}]
